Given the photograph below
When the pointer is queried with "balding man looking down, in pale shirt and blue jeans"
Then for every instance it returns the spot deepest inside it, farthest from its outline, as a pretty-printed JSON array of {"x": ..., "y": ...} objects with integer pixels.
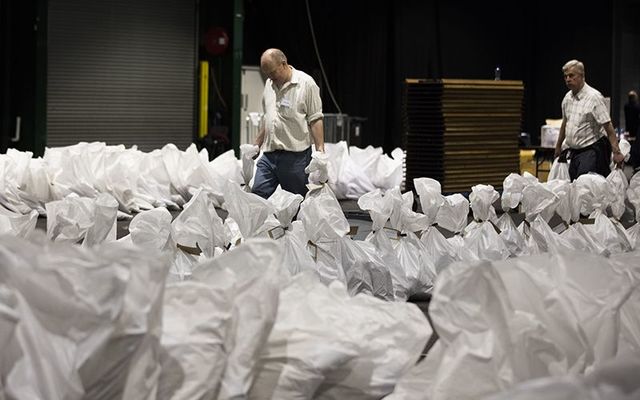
[{"x": 292, "y": 121}]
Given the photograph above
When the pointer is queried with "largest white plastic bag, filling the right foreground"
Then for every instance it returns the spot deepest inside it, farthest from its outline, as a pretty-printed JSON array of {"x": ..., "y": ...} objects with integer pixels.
[{"x": 504, "y": 322}]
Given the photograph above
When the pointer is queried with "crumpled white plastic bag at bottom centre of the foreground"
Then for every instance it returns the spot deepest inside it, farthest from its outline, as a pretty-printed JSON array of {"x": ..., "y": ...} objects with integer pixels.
[{"x": 328, "y": 345}]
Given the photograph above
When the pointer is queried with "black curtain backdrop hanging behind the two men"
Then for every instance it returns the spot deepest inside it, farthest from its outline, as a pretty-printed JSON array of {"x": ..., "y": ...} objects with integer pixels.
[{"x": 369, "y": 48}]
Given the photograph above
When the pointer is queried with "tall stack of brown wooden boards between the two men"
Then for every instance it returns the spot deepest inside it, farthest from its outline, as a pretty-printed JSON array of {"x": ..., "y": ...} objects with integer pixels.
[{"x": 461, "y": 132}]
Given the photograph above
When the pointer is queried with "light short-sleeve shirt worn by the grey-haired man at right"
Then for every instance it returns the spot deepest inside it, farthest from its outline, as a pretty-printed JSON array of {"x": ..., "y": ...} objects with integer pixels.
[{"x": 585, "y": 114}]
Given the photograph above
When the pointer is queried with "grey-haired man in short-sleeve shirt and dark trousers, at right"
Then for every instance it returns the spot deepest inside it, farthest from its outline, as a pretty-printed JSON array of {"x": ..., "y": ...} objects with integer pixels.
[{"x": 586, "y": 128}]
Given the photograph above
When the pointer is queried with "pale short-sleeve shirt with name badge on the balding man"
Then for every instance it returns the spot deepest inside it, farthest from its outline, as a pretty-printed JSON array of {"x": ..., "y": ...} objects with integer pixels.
[{"x": 289, "y": 111}]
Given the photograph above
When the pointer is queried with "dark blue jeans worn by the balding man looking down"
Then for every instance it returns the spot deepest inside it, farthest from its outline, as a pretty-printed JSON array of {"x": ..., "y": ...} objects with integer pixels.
[{"x": 282, "y": 167}]
